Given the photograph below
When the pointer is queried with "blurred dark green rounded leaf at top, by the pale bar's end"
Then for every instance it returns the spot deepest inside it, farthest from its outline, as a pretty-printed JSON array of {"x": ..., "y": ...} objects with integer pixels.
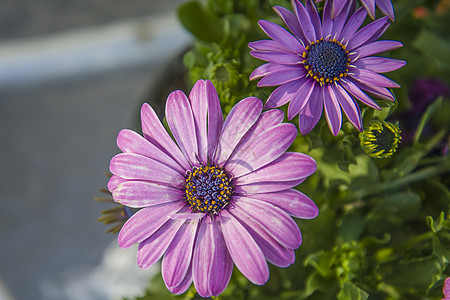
[{"x": 200, "y": 22}]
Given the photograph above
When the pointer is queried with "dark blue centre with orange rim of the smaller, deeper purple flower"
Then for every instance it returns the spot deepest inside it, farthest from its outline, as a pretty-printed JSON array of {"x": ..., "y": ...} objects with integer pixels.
[{"x": 326, "y": 60}]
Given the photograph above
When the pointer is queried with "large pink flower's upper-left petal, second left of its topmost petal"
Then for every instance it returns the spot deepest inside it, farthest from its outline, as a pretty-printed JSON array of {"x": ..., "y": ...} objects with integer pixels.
[{"x": 155, "y": 133}]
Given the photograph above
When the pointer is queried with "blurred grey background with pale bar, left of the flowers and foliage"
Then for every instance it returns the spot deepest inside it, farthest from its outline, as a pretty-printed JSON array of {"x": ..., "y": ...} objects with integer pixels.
[{"x": 72, "y": 74}]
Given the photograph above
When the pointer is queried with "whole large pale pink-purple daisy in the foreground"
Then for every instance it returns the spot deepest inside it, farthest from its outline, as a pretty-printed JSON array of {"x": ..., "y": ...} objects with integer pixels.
[{"x": 220, "y": 194}]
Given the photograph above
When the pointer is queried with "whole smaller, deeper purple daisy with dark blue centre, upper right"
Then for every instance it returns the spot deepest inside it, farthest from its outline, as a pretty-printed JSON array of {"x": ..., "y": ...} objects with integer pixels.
[{"x": 324, "y": 64}]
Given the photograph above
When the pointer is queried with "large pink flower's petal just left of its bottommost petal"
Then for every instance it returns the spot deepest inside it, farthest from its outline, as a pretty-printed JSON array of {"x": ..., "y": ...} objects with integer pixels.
[{"x": 177, "y": 260}]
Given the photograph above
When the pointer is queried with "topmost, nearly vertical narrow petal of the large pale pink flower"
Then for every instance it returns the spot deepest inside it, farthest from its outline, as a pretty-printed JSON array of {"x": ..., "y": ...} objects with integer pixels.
[{"x": 199, "y": 102}]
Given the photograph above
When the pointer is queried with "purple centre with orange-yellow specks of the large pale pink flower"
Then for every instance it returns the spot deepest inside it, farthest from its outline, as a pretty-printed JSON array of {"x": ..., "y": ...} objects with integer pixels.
[{"x": 208, "y": 189}]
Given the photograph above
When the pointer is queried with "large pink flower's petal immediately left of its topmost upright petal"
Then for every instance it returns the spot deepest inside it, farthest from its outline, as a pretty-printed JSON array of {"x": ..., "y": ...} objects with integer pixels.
[{"x": 181, "y": 123}]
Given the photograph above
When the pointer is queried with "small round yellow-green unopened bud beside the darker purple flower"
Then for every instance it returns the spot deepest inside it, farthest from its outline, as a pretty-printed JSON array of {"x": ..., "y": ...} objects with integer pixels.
[{"x": 380, "y": 139}]
